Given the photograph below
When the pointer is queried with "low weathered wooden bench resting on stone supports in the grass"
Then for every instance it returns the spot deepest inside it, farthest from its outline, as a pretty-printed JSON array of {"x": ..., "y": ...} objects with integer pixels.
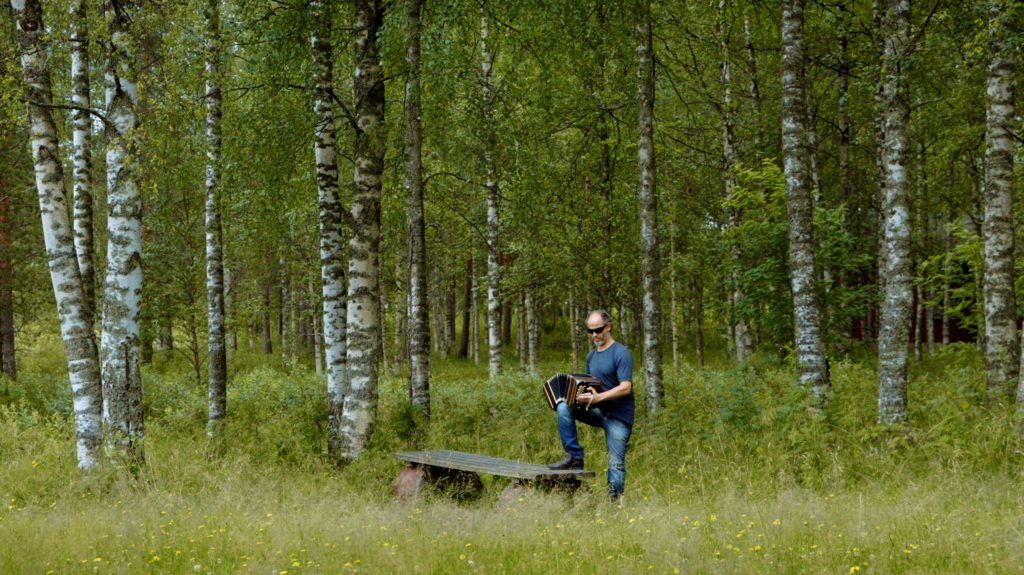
[{"x": 458, "y": 473}]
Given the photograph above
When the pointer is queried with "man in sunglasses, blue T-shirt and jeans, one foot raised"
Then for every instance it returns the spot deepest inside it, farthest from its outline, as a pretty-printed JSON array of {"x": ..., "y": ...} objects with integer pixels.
[{"x": 612, "y": 410}]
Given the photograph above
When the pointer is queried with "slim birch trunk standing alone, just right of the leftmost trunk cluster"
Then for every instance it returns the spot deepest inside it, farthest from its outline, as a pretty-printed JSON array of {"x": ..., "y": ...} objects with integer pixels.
[{"x": 218, "y": 361}]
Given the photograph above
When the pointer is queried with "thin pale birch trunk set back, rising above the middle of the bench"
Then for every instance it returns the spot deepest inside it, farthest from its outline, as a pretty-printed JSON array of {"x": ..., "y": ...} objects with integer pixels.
[{"x": 494, "y": 216}]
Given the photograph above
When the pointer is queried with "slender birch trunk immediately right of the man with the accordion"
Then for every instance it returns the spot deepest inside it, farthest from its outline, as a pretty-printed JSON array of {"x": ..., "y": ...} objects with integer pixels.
[{"x": 648, "y": 197}]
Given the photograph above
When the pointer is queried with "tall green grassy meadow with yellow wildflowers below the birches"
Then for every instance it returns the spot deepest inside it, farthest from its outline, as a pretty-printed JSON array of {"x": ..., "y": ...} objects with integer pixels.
[{"x": 736, "y": 477}]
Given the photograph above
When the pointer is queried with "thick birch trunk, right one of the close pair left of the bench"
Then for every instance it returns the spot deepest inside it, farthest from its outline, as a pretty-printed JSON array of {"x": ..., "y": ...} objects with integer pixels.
[{"x": 364, "y": 274}]
